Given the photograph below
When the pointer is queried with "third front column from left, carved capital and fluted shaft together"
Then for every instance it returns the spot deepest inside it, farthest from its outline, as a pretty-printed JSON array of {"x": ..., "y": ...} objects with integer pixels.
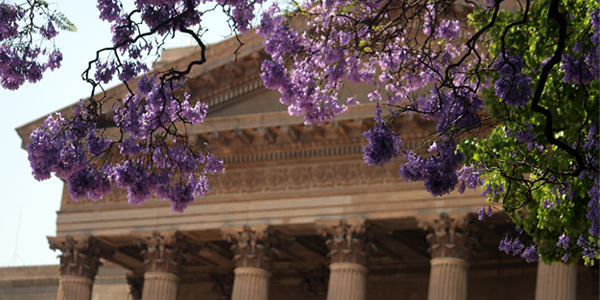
[{"x": 254, "y": 252}]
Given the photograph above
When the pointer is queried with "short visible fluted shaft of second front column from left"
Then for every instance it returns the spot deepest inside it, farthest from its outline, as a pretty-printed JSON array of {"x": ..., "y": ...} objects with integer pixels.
[{"x": 160, "y": 286}]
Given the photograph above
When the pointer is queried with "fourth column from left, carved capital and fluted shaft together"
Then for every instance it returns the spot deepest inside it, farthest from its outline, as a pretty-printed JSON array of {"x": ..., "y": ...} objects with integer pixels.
[{"x": 348, "y": 251}]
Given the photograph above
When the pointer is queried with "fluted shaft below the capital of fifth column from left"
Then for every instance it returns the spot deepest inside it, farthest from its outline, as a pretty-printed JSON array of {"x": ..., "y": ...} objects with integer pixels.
[{"x": 448, "y": 279}]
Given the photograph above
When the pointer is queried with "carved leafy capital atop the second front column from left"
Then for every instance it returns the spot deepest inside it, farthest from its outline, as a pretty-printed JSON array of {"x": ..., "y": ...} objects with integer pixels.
[{"x": 164, "y": 253}]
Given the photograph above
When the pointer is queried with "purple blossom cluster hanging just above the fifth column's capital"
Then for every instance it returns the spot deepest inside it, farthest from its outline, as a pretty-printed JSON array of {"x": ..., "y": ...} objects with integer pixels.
[{"x": 438, "y": 171}]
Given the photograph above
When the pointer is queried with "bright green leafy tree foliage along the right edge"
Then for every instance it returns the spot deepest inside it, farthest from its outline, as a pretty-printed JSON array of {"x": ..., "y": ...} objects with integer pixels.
[{"x": 530, "y": 189}]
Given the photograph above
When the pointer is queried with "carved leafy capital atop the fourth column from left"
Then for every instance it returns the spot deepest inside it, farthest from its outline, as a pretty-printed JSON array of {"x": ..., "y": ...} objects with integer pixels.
[{"x": 347, "y": 243}]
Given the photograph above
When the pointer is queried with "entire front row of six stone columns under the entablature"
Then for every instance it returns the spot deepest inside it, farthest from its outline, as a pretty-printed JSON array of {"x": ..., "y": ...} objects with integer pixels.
[{"x": 255, "y": 250}]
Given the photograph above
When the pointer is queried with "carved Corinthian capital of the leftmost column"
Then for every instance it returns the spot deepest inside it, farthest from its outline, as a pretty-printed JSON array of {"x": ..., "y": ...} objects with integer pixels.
[{"x": 80, "y": 256}]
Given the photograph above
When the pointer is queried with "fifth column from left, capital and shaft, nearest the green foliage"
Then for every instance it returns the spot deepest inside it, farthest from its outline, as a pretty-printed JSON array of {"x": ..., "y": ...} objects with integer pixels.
[{"x": 449, "y": 242}]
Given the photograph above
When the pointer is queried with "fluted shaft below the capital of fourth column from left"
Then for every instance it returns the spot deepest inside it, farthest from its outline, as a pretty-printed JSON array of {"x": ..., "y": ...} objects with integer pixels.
[{"x": 347, "y": 281}]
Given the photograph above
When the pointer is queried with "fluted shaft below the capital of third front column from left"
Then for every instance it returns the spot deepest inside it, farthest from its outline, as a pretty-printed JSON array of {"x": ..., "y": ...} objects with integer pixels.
[{"x": 250, "y": 284}]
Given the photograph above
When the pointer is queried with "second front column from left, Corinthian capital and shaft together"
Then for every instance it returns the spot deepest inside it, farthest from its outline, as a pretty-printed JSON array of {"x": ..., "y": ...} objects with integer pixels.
[{"x": 164, "y": 256}]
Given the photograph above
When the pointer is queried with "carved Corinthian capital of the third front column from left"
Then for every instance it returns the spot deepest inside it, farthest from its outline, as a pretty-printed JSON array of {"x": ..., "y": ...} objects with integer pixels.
[{"x": 252, "y": 248}]
